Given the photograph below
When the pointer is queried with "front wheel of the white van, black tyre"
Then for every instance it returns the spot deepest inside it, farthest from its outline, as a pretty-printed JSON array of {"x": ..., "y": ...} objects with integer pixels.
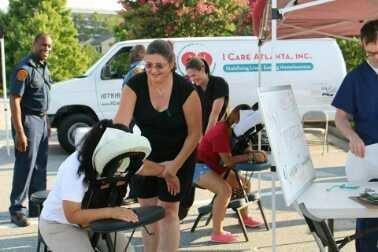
[{"x": 67, "y": 127}]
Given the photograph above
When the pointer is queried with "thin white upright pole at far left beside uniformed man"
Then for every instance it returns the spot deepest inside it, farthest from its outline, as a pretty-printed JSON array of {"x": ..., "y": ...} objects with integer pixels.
[{"x": 5, "y": 99}]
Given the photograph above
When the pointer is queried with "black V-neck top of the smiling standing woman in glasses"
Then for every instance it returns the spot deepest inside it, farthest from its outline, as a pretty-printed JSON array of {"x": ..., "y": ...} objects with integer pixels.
[{"x": 166, "y": 130}]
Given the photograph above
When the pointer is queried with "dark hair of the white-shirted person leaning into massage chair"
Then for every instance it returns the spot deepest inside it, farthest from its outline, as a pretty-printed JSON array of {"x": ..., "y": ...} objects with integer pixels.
[{"x": 88, "y": 145}]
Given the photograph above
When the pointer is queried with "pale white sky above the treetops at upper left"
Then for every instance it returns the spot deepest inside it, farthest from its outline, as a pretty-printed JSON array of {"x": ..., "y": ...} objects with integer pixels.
[{"x": 84, "y": 5}]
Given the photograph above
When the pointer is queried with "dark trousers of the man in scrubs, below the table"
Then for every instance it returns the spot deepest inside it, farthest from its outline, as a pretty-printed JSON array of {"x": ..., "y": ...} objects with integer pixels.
[{"x": 369, "y": 242}]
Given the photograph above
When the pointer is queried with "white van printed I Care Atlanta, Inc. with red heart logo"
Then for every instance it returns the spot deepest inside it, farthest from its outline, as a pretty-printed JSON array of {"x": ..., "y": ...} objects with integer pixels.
[{"x": 314, "y": 67}]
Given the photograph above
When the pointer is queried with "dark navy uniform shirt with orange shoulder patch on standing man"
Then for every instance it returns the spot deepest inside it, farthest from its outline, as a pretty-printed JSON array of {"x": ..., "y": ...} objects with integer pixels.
[{"x": 31, "y": 80}]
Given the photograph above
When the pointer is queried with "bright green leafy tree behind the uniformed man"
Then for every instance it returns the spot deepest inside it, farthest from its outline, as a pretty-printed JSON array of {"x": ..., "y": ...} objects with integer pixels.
[{"x": 25, "y": 19}]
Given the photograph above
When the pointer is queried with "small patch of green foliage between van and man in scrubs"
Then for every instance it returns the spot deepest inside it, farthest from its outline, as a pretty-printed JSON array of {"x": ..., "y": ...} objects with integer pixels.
[{"x": 352, "y": 51}]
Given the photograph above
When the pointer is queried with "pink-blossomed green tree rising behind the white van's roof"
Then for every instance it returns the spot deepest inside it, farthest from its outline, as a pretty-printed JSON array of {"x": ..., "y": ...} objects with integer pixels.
[{"x": 182, "y": 18}]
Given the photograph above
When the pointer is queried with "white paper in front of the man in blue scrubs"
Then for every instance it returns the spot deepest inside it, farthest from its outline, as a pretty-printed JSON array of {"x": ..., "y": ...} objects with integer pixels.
[{"x": 362, "y": 169}]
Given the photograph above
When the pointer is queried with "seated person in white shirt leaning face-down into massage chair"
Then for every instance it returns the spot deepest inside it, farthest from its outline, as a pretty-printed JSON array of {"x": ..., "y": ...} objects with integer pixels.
[{"x": 62, "y": 218}]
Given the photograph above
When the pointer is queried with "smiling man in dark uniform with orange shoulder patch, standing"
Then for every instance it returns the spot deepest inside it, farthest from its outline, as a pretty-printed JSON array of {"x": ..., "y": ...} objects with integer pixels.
[{"x": 30, "y": 87}]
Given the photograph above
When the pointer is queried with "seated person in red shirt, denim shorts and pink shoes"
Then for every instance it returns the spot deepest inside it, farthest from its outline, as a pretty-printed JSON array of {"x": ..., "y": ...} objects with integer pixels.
[{"x": 214, "y": 158}]
